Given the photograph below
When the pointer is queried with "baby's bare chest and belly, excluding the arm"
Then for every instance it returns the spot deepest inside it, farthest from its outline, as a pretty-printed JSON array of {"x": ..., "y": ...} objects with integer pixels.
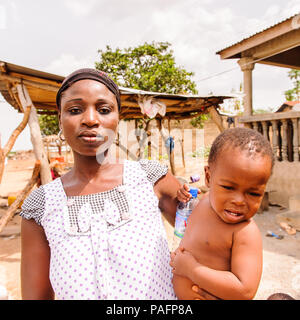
[{"x": 209, "y": 239}]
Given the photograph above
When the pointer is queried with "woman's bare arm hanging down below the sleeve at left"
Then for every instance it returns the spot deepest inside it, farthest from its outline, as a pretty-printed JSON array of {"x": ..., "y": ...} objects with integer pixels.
[{"x": 35, "y": 262}]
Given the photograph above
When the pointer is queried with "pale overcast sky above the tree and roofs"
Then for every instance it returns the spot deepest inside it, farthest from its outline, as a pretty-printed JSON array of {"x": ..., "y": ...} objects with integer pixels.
[{"x": 59, "y": 36}]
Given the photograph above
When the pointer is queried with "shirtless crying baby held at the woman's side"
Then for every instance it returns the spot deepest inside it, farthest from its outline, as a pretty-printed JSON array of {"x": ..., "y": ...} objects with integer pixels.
[{"x": 221, "y": 250}]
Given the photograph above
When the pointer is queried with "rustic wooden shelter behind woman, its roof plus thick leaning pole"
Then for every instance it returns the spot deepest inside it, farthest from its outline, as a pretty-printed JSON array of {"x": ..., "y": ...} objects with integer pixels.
[{"x": 33, "y": 92}]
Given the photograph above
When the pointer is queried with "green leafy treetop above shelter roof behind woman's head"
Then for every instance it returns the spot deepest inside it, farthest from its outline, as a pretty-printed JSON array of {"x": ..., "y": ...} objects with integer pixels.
[{"x": 149, "y": 67}]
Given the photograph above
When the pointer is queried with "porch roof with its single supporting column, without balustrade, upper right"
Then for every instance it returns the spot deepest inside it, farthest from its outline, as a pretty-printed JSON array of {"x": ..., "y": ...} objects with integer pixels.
[{"x": 278, "y": 45}]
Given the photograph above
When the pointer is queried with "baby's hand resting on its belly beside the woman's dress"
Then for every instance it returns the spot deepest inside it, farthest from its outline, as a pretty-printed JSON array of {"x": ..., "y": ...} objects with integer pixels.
[{"x": 182, "y": 261}]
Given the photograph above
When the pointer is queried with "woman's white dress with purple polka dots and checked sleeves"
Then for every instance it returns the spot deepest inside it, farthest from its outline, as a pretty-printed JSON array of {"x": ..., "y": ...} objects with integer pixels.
[{"x": 109, "y": 245}]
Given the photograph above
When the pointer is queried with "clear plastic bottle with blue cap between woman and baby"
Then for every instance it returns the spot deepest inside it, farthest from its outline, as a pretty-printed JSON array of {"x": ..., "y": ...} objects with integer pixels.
[{"x": 182, "y": 213}]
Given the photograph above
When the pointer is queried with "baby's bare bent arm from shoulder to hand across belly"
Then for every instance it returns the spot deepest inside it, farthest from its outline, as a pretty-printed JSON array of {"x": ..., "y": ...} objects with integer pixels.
[{"x": 246, "y": 267}]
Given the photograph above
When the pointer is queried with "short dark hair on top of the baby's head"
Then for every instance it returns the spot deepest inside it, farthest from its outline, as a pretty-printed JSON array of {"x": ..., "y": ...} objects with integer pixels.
[{"x": 248, "y": 140}]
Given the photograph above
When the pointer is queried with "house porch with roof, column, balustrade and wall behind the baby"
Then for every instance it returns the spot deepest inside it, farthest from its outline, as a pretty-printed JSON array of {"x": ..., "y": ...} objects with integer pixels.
[{"x": 278, "y": 45}]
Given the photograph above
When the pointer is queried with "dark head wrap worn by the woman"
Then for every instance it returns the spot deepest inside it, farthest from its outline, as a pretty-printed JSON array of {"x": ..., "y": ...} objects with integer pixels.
[{"x": 92, "y": 74}]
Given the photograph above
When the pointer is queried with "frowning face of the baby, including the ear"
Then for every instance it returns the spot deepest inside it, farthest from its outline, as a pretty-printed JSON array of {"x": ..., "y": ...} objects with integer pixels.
[{"x": 237, "y": 183}]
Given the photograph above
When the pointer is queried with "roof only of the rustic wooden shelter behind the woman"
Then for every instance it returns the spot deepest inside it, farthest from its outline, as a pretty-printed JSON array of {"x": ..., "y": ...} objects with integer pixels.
[{"x": 42, "y": 88}]
